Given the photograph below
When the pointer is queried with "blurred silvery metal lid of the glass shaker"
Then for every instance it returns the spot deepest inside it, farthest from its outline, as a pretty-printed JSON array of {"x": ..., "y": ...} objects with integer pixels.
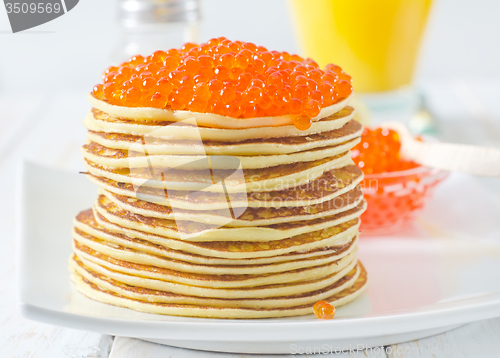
[{"x": 132, "y": 13}]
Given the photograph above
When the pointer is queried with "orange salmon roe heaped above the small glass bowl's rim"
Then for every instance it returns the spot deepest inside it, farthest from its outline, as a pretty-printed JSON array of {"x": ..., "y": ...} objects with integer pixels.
[{"x": 379, "y": 152}]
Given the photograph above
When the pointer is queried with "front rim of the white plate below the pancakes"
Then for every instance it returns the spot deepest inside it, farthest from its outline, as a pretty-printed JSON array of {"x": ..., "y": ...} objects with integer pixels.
[{"x": 344, "y": 328}]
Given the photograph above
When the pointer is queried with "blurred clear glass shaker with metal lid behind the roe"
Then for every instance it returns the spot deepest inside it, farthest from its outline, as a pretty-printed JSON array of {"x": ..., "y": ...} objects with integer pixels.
[{"x": 151, "y": 25}]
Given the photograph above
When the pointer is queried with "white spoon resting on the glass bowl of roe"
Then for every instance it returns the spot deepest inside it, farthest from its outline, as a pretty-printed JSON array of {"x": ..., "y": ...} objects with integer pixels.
[{"x": 447, "y": 156}]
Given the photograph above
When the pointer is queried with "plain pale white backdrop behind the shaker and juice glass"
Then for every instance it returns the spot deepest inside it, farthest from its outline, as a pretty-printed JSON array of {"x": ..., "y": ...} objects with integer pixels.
[{"x": 69, "y": 53}]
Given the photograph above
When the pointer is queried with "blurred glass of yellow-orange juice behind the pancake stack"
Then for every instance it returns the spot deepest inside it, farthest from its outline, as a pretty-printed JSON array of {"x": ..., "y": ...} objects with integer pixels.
[{"x": 376, "y": 42}]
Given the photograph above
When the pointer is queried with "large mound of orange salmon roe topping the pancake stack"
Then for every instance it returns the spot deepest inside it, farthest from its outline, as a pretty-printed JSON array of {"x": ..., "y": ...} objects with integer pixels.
[{"x": 235, "y": 79}]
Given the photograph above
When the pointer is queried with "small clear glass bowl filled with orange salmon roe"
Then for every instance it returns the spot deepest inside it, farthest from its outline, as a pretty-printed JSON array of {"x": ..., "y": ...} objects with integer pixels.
[{"x": 395, "y": 189}]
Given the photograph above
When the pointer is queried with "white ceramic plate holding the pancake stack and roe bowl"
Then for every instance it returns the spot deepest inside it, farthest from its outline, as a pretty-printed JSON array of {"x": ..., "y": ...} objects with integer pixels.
[{"x": 442, "y": 273}]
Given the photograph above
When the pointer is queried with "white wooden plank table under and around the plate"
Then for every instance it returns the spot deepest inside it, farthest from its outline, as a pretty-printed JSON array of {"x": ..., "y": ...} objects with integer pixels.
[{"x": 47, "y": 130}]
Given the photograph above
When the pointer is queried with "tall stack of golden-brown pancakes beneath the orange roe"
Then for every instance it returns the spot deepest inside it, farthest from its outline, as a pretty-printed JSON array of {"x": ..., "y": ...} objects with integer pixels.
[{"x": 219, "y": 222}]
